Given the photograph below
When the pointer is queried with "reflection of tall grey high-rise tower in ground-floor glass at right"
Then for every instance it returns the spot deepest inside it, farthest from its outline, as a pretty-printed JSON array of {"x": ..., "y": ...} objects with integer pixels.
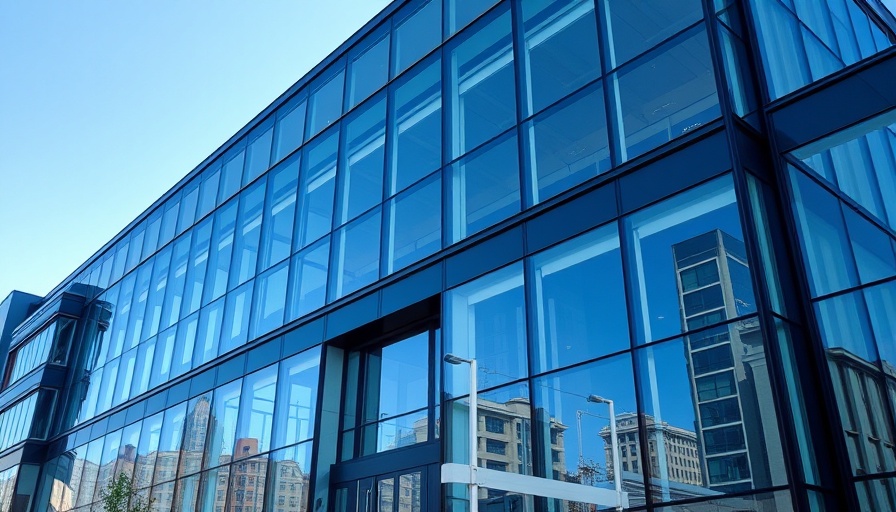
[{"x": 726, "y": 364}]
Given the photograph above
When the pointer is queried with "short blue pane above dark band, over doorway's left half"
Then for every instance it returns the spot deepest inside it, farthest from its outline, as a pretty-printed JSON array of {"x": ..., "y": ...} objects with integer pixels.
[{"x": 356, "y": 255}]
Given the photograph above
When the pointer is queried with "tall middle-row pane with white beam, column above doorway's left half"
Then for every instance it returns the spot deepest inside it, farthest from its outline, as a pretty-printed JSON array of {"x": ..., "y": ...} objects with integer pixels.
[{"x": 361, "y": 170}]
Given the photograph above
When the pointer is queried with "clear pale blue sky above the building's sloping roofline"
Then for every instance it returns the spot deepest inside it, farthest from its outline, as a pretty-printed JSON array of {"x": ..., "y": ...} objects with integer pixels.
[{"x": 104, "y": 105}]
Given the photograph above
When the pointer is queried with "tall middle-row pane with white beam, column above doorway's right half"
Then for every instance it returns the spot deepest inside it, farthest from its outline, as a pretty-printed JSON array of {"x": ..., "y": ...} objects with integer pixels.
[{"x": 416, "y": 126}]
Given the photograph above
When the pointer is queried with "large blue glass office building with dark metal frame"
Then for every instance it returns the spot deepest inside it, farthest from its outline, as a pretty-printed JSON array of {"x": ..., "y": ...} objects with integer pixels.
[{"x": 663, "y": 231}]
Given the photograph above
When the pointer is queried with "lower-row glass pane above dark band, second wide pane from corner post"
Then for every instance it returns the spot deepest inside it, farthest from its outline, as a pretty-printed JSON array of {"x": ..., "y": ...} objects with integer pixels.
[{"x": 567, "y": 145}]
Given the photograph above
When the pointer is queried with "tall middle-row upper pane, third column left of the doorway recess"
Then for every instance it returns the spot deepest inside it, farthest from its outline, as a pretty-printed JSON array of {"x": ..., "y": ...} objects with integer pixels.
[{"x": 247, "y": 234}]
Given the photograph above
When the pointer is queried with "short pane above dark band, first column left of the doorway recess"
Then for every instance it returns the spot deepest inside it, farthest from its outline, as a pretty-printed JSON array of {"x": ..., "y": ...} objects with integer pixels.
[{"x": 308, "y": 279}]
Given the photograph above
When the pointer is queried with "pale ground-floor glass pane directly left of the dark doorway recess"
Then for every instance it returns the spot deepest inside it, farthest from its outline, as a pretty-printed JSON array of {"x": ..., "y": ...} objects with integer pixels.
[{"x": 294, "y": 415}]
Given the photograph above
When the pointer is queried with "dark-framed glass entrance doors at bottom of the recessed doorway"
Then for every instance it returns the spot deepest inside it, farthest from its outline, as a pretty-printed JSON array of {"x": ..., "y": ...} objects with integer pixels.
[{"x": 401, "y": 491}]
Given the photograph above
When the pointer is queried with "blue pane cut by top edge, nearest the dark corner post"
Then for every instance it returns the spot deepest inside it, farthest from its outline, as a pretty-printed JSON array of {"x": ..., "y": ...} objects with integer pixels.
[{"x": 634, "y": 28}]
